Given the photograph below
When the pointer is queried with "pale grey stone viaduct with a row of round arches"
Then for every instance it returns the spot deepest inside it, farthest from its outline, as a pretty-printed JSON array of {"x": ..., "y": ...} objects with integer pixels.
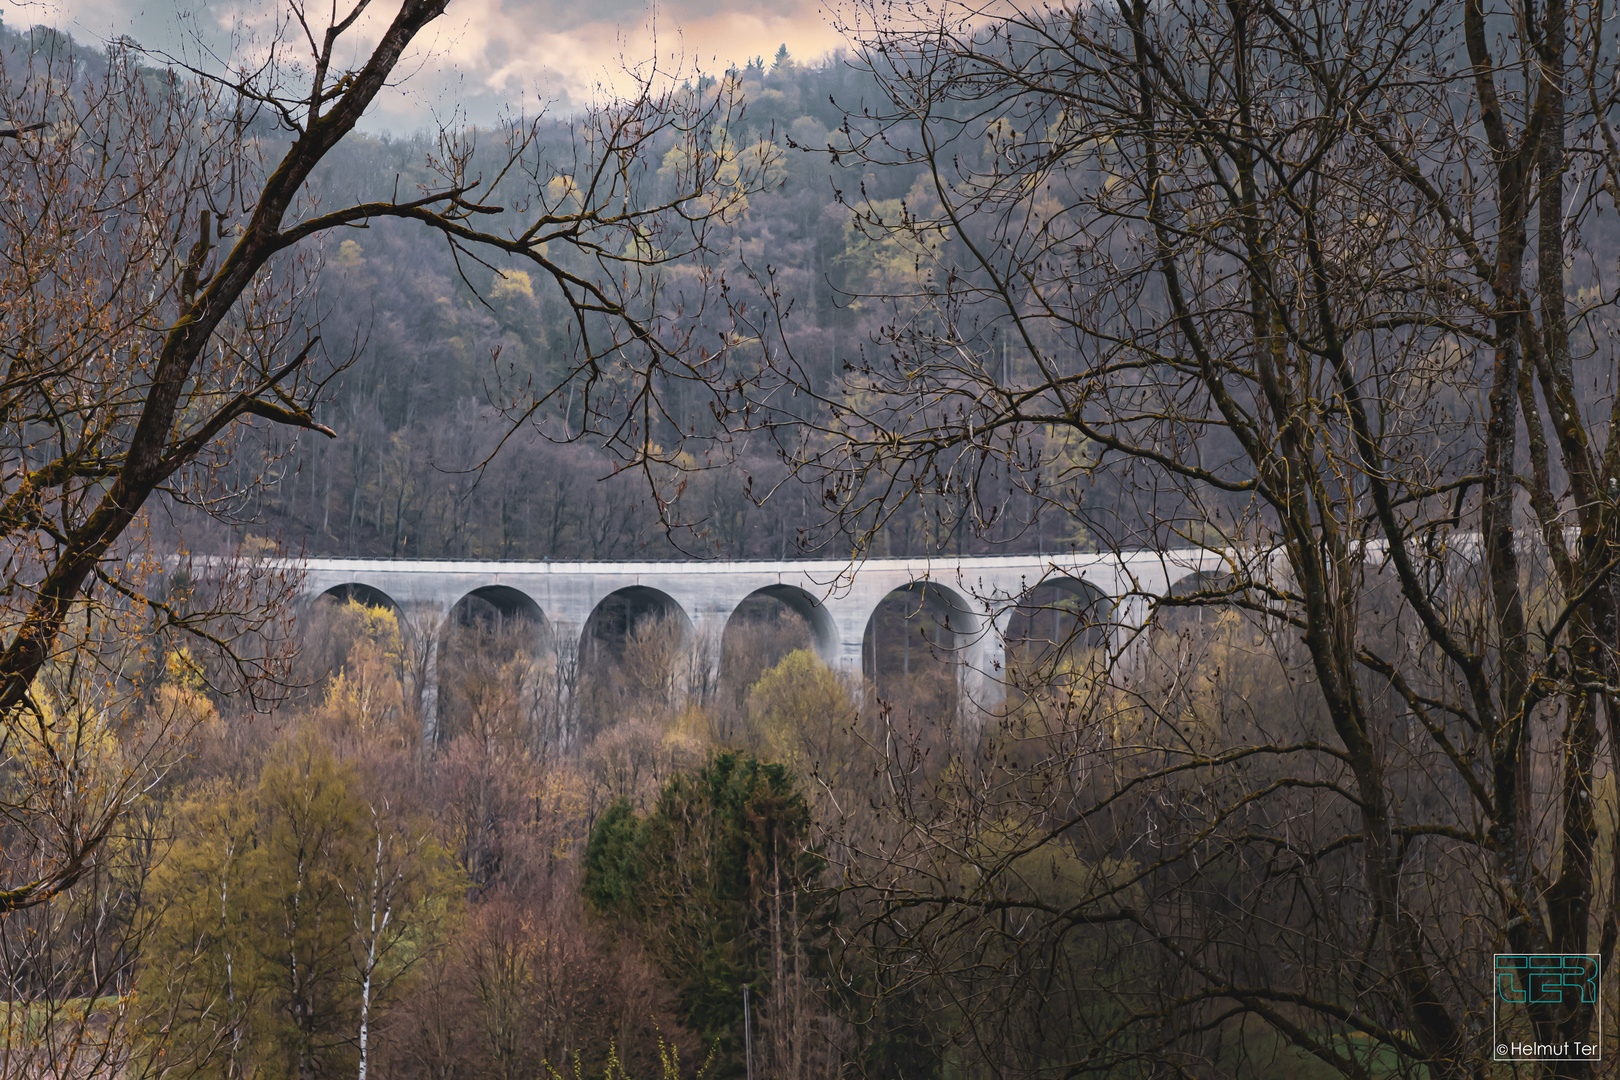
[{"x": 837, "y": 598}]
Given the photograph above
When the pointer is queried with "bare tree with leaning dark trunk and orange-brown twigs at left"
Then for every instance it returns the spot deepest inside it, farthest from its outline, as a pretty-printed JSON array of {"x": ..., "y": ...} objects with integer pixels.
[{"x": 160, "y": 245}]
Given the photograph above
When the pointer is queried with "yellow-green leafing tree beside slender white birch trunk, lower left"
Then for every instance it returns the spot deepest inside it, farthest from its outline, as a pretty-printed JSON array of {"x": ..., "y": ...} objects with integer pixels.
[{"x": 268, "y": 932}]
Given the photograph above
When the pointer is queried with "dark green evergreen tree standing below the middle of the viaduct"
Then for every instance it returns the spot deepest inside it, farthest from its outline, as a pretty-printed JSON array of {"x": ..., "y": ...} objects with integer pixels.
[{"x": 718, "y": 882}]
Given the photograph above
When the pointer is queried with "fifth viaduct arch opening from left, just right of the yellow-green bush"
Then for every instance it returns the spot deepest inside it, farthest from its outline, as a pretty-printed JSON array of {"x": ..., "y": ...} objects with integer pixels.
[{"x": 913, "y": 648}]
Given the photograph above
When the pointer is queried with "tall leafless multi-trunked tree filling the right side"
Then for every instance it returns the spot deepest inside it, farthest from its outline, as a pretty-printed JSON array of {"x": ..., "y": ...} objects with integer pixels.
[{"x": 1324, "y": 289}]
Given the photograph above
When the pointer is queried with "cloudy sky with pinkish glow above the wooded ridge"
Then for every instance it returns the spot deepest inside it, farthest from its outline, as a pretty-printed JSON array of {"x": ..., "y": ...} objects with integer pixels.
[{"x": 487, "y": 54}]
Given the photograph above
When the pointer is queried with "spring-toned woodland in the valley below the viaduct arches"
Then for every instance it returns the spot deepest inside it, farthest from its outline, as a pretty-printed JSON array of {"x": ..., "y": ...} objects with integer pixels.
[{"x": 599, "y": 869}]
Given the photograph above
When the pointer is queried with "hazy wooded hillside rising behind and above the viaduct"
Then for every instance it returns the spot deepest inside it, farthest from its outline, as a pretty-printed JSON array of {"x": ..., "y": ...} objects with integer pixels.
[{"x": 443, "y": 360}]
